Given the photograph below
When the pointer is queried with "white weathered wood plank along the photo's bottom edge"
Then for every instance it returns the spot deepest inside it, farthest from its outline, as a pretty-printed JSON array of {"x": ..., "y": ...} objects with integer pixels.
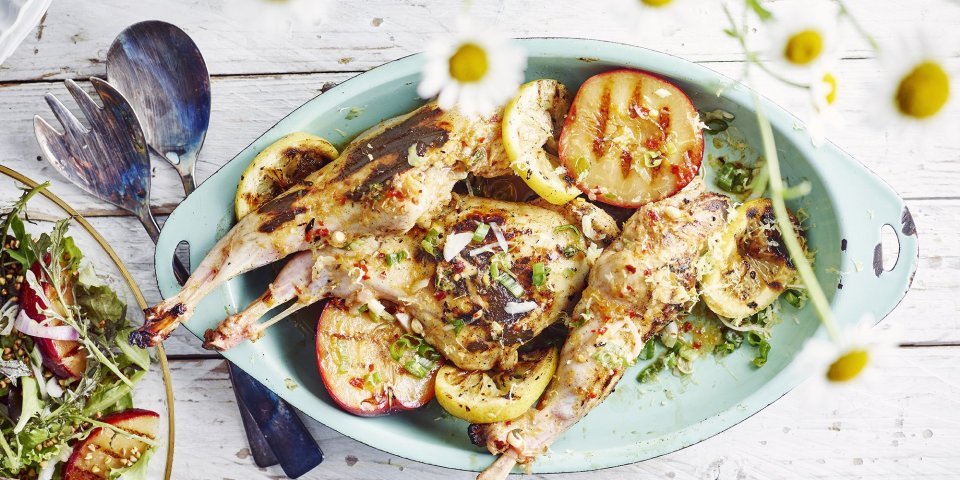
[{"x": 905, "y": 426}]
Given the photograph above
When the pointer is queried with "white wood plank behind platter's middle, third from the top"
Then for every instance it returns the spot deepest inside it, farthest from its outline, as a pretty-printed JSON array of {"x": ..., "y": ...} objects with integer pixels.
[{"x": 926, "y": 314}]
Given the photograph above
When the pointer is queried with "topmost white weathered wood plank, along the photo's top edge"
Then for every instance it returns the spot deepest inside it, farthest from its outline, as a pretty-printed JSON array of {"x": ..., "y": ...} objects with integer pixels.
[{"x": 361, "y": 35}]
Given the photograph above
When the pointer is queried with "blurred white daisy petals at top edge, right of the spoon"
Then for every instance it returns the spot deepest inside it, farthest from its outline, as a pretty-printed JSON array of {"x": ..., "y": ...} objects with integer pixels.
[{"x": 280, "y": 16}]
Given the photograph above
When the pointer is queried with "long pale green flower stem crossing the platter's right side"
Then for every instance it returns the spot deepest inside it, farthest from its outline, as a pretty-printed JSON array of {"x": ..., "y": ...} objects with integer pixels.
[{"x": 790, "y": 240}]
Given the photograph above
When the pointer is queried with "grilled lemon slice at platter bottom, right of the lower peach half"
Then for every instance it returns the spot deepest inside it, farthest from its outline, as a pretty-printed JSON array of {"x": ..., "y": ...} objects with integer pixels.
[{"x": 495, "y": 396}]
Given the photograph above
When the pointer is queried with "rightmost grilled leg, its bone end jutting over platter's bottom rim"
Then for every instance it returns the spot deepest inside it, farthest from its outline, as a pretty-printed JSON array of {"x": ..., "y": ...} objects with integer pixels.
[{"x": 643, "y": 281}]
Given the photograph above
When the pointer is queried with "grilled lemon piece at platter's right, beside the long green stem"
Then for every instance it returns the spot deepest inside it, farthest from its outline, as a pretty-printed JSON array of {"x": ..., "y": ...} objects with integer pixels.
[{"x": 751, "y": 266}]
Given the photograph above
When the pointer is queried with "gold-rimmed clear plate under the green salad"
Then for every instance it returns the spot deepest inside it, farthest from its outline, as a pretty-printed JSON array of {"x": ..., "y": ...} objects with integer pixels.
[{"x": 154, "y": 391}]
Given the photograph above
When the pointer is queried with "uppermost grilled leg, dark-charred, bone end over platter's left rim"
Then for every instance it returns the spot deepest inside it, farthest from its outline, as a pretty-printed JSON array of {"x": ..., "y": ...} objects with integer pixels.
[{"x": 395, "y": 174}]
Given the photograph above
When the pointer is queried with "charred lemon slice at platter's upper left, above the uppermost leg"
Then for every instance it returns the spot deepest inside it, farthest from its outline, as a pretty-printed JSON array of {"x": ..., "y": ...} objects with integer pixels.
[{"x": 280, "y": 166}]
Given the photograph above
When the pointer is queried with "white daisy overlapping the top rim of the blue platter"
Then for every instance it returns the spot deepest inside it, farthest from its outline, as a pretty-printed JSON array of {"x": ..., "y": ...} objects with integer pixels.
[{"x": 473, "y": 71}]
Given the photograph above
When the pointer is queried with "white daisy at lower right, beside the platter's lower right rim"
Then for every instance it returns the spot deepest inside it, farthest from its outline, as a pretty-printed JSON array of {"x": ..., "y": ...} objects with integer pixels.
[{"x": 850, "y": 360}]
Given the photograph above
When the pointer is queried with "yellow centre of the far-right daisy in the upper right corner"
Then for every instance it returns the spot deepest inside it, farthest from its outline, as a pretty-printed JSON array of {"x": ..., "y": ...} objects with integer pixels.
[{"x": 923, "y": 91}]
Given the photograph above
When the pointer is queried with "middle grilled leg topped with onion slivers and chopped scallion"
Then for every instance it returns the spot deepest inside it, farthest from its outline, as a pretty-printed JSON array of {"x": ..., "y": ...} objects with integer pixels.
[{"x": 459, "y": 306}]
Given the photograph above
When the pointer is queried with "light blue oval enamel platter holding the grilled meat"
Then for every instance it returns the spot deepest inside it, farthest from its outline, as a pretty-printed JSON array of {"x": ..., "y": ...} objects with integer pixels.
[{"x": 638, "y": 421}]
